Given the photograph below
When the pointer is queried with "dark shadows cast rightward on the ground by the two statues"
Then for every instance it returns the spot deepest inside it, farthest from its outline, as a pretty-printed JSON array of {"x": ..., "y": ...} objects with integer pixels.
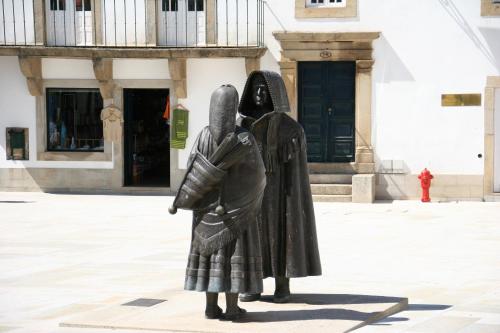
[{"x": 328, "y": 313}]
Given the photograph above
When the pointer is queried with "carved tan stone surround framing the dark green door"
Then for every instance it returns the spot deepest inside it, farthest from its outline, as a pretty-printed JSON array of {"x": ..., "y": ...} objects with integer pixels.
[{"x": 335, "y": 46}]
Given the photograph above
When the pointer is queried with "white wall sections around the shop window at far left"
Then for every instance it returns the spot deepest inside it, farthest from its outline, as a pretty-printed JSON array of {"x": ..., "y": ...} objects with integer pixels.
[{"x": 18, "y": 108}]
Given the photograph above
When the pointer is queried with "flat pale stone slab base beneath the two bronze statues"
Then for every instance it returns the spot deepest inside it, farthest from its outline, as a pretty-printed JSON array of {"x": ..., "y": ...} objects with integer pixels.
[{"x": 183, "y": 312}]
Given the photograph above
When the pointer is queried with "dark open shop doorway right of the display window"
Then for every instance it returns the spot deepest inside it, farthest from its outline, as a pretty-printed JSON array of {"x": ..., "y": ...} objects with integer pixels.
[{"x": 146, "y": 138}]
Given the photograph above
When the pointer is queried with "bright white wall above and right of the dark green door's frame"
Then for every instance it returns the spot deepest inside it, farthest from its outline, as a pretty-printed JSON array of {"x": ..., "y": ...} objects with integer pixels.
[{"x": 426, "y": 48}]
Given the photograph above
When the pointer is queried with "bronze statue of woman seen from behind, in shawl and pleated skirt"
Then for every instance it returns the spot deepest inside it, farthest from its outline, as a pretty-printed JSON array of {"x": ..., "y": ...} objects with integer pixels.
[{"x": 224, "y": 186}]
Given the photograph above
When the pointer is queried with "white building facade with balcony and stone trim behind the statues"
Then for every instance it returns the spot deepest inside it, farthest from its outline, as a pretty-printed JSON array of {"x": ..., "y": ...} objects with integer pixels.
[{"x": 383, "y": 90}]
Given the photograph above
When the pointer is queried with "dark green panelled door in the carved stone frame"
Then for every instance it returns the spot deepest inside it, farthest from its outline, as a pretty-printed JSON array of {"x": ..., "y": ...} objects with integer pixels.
[{"x": 326, "y": 109}]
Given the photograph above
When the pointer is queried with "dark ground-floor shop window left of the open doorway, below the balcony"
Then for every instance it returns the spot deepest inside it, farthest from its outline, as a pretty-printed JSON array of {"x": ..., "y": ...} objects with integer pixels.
[{"x": 74, "y": 120}]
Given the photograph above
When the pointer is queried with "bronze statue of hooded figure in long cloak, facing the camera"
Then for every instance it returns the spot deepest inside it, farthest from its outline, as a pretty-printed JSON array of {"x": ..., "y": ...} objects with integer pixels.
[{"x": 288, "y": 228}]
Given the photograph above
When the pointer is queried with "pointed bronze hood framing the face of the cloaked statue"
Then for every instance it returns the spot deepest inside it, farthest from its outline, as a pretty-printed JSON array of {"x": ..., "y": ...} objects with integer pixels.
[{"x": 277, "y": 93}]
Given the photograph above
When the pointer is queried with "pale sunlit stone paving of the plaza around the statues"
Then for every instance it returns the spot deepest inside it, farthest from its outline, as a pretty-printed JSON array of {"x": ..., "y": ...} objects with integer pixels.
[{"x": 68, "y": 258}]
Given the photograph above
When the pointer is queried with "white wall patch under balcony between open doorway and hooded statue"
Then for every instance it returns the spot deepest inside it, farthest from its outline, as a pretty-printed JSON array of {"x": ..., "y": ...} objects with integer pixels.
[{"x": 203, "y": 77}]
